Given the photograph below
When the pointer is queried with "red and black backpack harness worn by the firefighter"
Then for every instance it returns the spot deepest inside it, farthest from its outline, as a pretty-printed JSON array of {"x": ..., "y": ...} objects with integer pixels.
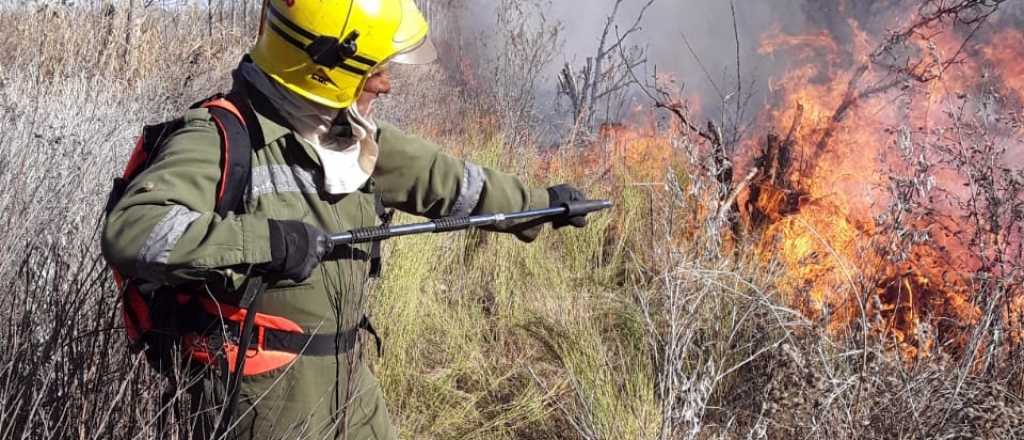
[{"x": 168, "y": 322}]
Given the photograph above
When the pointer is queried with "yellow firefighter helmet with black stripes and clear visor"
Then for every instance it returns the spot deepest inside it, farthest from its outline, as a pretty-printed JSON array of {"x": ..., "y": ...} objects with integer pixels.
[{"x": 326, "y": 50}]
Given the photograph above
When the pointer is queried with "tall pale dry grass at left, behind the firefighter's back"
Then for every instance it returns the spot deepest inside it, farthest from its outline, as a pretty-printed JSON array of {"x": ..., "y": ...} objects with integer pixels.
[{"x": 74, "y": 94}]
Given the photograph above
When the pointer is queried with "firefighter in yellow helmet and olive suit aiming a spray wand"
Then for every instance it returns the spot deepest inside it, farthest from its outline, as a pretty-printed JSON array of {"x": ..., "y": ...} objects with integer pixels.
[{"x": 324, "y": 165}]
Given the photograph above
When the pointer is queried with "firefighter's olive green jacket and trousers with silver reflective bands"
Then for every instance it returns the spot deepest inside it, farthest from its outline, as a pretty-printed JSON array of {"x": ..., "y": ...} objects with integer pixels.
[{"x": 165, "y": 231}]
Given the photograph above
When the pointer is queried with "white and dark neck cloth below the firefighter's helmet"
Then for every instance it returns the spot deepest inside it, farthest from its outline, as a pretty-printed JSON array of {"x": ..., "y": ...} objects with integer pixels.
[{"x": 348, "y": 161}]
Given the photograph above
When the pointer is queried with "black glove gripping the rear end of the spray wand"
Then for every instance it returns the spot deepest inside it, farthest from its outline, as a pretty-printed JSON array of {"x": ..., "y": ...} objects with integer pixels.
[{"x": 296, "y": 249}]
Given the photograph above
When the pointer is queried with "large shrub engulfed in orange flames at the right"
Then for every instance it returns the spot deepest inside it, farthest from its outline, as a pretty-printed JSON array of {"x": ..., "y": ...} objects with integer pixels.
[{"x": 921, "y": 273}]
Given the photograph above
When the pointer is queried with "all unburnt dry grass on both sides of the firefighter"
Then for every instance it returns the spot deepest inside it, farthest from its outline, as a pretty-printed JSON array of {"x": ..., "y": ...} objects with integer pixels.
[{"x": 648, "y": 325}]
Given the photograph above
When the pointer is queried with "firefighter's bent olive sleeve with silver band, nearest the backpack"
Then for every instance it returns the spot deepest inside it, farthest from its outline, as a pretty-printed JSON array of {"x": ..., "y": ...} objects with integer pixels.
[{"x": 165, "y": 230}]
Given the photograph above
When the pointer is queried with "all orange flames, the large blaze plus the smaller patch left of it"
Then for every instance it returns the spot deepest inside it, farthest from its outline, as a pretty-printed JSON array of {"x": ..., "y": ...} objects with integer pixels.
[{"x": 825, "y": 148}]
